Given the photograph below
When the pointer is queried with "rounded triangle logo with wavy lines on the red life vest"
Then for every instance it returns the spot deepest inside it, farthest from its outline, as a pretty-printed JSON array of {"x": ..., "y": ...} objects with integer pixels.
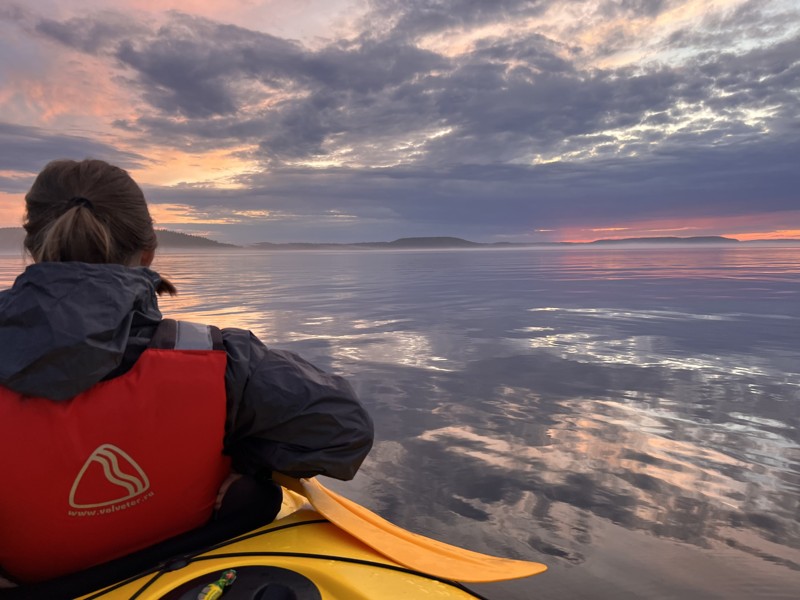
[{"x": 109, "y": 476}]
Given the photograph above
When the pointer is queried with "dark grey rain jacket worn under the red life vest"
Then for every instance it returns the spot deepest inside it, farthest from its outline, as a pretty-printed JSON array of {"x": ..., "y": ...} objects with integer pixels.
[{"x": 66, "y": 326}]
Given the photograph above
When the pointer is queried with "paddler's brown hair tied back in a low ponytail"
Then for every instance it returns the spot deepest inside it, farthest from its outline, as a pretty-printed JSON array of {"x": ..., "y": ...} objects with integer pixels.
[{"x": 88, "y": 211}]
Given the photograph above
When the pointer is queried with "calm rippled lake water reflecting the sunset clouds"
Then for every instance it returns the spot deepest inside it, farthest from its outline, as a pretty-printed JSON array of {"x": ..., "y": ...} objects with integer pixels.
[{"x": 628, "y": 416}]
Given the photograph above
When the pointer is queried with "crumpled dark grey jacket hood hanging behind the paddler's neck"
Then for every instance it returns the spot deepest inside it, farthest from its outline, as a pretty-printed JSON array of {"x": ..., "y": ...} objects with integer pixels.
[{"x": 65, "y": 326}]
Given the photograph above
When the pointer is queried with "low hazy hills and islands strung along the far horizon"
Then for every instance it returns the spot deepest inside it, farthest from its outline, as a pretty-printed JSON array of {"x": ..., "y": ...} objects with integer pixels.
[{"x": 11, "y": 239}]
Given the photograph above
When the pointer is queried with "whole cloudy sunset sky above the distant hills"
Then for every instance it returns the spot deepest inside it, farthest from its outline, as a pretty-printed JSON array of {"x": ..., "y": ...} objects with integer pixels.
[{"x": 371, "y": 120}]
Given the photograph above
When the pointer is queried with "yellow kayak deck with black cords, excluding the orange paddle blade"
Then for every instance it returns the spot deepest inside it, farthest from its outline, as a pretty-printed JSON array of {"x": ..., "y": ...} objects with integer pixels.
[{"x": 301, "y": 555}]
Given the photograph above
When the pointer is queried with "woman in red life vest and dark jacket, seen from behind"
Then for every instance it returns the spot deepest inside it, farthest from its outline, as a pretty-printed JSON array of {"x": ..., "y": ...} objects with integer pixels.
[{"x": 121, "y": 429}]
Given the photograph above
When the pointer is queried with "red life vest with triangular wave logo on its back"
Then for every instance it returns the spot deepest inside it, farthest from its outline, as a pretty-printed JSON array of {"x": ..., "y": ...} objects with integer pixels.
[{"x": 126, "y": 464}]
